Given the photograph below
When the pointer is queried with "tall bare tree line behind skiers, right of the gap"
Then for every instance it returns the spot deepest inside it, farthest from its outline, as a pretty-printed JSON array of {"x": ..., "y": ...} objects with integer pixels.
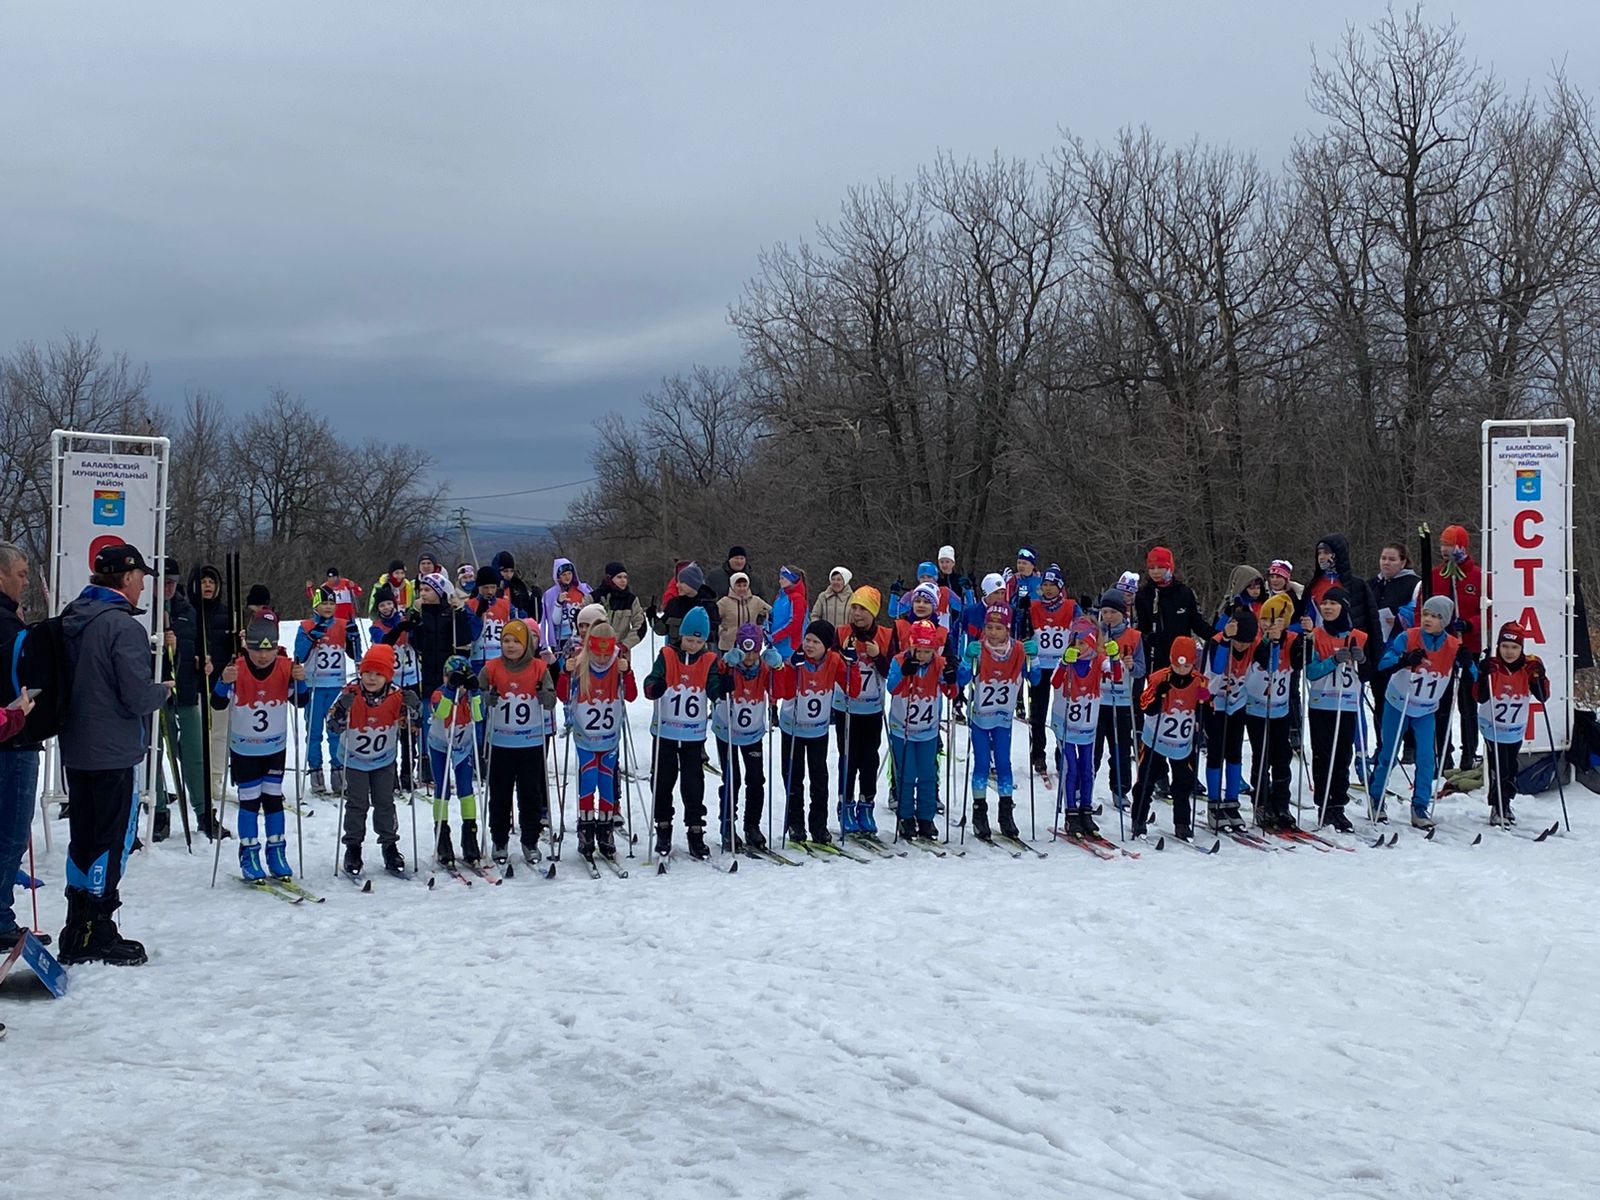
[{"x": 1148, "y": 343}]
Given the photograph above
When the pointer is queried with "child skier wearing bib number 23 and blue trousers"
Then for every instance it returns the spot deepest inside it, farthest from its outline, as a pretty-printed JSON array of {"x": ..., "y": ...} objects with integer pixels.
[{"x": 998, "y": 670}]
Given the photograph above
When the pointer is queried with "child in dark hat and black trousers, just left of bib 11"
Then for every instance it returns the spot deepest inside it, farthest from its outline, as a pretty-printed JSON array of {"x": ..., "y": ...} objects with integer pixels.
[{"x": 1334, "y": 678}]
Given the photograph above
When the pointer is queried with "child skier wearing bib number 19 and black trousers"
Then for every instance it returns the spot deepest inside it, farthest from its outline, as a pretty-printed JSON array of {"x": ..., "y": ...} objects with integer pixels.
[{"x": 521, "y": 692}]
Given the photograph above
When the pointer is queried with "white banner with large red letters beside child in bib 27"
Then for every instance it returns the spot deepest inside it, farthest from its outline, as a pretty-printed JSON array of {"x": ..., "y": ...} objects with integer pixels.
[{"x": 1530, "y": 510}]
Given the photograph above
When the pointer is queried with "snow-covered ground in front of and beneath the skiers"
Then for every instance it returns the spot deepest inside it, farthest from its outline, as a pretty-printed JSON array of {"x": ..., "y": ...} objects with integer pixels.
[{"x": 1386, "y": 1023}]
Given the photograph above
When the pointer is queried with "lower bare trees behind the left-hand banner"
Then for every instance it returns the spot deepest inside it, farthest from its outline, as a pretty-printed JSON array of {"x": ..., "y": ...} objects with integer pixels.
[{"x": 274, "y": 482}]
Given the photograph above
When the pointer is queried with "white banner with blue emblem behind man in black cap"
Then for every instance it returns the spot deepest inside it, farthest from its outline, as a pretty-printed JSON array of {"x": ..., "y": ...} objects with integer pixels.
[{"x": 106, "y": 500}]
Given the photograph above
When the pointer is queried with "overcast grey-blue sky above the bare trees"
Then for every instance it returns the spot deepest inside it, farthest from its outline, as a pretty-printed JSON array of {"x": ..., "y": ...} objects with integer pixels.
[{"x": 481, "y": 226}]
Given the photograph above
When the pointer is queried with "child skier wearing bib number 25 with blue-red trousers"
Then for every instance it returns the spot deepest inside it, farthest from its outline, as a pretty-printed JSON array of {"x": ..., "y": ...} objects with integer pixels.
[{"x": 596, "y": 687}]
